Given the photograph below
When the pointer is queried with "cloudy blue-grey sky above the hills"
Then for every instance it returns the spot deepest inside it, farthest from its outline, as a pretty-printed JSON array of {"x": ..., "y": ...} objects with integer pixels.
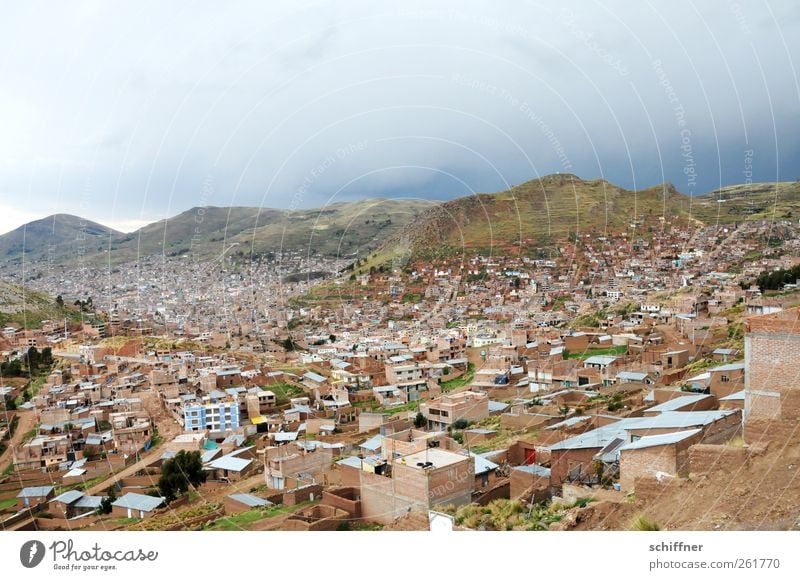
[{"x": 130, "y": 112}]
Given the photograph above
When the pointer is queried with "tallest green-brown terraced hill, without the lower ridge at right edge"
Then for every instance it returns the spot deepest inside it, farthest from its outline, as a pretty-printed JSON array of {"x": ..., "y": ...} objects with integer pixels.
[{"x": 533, "y": 215}]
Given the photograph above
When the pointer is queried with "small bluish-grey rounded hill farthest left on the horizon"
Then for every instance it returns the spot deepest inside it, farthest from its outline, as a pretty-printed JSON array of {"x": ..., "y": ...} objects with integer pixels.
[{"x": 55, "y": 238}]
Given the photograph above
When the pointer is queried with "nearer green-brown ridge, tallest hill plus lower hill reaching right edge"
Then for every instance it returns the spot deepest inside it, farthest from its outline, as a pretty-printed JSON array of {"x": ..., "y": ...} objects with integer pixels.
[{"x": 538, "y": 213}]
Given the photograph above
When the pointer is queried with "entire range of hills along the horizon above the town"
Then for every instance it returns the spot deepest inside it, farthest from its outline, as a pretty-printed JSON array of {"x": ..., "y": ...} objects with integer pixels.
[{"x": 523, "y": 219}]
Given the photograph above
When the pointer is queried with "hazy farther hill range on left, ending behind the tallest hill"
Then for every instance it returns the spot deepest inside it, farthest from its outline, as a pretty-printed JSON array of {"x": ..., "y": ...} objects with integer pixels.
[{"x": 340, "y": 229}]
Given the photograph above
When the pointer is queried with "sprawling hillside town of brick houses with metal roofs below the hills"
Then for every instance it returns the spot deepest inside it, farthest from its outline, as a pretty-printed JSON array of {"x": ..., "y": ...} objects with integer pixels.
[{"x": 599, "y": 371}]
